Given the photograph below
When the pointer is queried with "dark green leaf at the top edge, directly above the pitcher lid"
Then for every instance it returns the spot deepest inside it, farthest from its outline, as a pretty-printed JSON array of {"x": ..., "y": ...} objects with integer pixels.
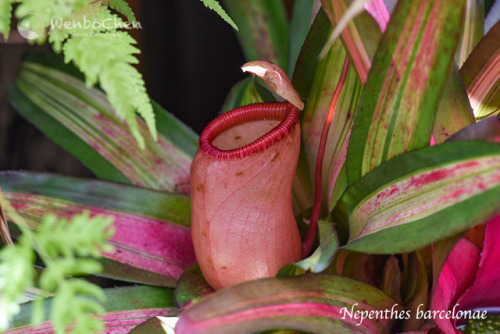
[{"x": 263, "y": 29}]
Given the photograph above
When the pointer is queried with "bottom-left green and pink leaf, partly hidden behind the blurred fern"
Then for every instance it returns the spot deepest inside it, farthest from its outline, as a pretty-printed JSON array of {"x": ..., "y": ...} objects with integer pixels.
[{"x": 125, "y": 308}]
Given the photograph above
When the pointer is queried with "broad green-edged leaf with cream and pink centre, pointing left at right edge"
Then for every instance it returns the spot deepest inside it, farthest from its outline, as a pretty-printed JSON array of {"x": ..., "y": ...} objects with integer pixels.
[{"x": 421, "y": 197}]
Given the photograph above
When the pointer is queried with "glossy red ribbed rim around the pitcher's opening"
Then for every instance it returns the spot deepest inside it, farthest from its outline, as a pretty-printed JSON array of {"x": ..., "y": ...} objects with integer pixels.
[{"x": 285, "y": 112}]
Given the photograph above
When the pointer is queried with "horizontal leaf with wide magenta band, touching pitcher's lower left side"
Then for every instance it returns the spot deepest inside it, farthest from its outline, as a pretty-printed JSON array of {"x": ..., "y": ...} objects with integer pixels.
[{"x": 152, "y": 243}]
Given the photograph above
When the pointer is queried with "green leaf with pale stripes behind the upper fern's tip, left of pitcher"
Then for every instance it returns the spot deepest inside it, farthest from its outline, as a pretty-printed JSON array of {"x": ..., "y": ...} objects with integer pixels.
[{"x": 83, "y": 122}]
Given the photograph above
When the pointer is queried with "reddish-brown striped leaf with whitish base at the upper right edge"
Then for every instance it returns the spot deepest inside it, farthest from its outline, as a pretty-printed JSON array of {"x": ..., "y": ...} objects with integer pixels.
[{"x": 481, "y": 74}]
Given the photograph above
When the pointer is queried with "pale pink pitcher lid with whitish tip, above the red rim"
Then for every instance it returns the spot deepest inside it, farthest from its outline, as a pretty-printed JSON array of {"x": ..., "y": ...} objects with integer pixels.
[{"x": 276, "y": 78}]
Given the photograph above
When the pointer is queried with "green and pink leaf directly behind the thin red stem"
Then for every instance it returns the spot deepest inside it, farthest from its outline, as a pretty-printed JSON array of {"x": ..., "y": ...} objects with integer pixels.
[{"x": 313, "y": 119}]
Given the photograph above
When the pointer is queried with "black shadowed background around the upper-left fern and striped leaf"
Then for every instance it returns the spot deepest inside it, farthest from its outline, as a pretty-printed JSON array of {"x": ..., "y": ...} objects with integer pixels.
[{"x": 190, "y": 59}]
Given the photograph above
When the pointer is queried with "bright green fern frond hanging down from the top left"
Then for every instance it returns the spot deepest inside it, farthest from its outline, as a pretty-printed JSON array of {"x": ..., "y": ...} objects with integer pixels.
[{"x": 87, "y": 21}]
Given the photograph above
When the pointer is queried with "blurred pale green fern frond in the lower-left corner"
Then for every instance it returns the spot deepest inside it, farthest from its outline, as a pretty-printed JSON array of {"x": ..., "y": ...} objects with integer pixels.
[{"x": 58, "y": 241}]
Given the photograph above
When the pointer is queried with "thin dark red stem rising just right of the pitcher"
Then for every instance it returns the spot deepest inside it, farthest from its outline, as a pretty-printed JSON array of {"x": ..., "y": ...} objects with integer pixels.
[{"x": 318, "y": 189}]
